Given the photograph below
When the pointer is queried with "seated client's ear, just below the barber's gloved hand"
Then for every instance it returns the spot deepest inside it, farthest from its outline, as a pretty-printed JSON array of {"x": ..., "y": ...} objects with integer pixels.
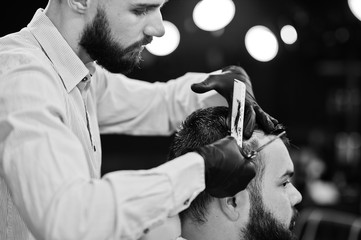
[{"x": 235, "y": 207}]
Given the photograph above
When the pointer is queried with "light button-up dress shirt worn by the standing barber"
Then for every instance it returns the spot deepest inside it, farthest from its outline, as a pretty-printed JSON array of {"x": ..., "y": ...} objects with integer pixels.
[{"x": 52, "y": 110}]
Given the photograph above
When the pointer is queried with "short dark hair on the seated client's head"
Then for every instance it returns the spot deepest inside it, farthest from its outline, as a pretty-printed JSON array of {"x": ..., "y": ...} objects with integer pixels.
[{"x": 201, "y": 128}]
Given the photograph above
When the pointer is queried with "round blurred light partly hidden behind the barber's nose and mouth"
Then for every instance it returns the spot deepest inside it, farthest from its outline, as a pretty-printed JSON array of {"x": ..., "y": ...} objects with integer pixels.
[{"x": 161, "y": 46}]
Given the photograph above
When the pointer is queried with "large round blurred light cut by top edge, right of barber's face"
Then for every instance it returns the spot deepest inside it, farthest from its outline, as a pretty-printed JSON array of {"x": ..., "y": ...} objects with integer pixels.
[{"x": 213, "y": 15}]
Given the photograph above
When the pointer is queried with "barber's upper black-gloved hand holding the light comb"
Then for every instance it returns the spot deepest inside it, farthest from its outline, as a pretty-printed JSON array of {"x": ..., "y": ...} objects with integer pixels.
[{"x": 223, "y": 84}]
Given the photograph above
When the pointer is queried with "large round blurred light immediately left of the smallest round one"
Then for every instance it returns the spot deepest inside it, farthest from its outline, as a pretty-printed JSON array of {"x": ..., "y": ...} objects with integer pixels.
[{"x": 261, "y": 43}]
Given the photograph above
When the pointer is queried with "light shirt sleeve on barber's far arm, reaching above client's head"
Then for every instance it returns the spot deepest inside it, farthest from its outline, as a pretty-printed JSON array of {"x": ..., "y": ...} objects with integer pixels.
[{"x": 131, "y": 106}]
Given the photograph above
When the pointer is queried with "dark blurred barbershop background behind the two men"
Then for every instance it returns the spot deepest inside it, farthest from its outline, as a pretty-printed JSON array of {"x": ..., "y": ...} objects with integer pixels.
[{"x": 312, "y": 86}]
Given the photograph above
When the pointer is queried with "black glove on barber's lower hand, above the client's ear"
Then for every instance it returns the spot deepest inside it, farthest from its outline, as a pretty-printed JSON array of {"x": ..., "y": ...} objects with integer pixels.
[{"x": 227, "y": 172}]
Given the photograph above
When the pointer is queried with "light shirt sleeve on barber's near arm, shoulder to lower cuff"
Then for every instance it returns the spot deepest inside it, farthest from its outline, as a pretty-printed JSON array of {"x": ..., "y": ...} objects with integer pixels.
[{"x": 45, "y": 168}]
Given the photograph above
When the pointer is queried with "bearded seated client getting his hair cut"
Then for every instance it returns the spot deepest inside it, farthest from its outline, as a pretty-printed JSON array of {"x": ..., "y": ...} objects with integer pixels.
[{"x": 264, "y": 210}]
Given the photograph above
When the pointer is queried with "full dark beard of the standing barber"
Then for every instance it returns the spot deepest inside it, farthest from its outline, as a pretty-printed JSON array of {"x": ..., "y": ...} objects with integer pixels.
[{"x": 99, "y": 44}]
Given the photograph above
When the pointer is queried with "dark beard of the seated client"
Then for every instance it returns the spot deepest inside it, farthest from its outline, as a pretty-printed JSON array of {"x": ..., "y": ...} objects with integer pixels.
[{"x": 264, "y": 226}]
